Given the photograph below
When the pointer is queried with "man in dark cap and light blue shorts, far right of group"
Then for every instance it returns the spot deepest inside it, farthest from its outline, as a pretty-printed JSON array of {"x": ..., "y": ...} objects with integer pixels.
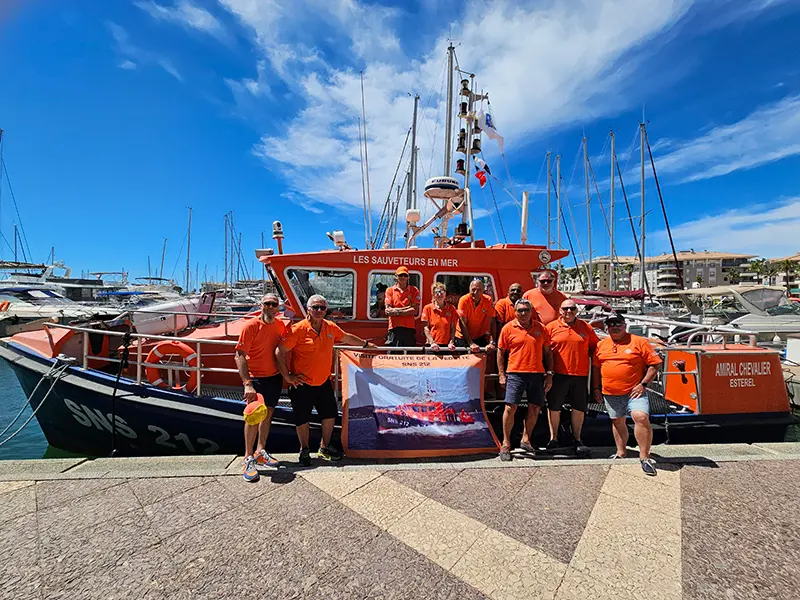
[{"x": 624, "y": 365}]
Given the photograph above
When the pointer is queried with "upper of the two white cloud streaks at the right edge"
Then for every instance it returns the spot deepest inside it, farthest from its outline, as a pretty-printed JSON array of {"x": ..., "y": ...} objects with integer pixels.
[{"x": 768, "y": 134}]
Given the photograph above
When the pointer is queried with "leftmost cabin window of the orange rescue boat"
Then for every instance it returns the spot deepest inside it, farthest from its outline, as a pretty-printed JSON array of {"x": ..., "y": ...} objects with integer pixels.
[{"x": 338, "y": 287}]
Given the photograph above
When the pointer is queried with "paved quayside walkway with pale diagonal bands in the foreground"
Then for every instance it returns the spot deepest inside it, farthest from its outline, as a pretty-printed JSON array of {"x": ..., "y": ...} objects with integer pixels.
[{"x": 717, "y": 522}]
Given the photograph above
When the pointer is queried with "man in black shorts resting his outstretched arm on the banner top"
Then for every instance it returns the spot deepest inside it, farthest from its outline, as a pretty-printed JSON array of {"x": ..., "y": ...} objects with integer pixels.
[{"x": 308, "y": 374}]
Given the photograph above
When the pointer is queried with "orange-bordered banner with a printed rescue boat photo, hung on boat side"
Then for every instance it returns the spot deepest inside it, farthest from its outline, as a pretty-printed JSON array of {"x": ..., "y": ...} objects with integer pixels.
[{"x": 407, "y": 406}]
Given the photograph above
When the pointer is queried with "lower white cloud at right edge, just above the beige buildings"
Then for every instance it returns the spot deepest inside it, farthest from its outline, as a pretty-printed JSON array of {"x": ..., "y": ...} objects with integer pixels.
[{"x": 766, "y": 229}]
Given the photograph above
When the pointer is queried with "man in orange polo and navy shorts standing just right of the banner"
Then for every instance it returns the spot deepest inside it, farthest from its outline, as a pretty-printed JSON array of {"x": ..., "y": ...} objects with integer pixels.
[{"x": 525, "y": 347}]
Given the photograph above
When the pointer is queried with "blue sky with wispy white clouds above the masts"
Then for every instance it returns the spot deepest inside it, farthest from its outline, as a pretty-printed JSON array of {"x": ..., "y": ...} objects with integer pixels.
[{"x": 119, "y": 115}]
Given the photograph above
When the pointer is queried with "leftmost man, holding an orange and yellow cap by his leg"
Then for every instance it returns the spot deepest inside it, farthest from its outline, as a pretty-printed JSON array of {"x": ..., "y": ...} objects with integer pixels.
[{"x": 255, "y": 359}]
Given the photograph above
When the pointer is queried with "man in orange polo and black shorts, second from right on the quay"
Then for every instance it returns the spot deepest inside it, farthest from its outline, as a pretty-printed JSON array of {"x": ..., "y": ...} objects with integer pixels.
[{"x": 573, "y": 342}]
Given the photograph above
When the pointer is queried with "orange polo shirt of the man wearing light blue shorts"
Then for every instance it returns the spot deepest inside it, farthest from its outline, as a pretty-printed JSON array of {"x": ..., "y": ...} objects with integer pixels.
[{"x": 623, "y": 366}]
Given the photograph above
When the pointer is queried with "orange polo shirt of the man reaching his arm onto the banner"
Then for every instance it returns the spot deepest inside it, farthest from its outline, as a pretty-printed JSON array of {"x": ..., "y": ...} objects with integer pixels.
[{"x": 312, "y": 352}]
